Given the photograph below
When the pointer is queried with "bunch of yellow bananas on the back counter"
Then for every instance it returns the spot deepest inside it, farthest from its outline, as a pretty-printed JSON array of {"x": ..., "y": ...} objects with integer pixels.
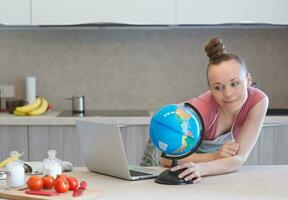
[{"x": 37, "y": 107}]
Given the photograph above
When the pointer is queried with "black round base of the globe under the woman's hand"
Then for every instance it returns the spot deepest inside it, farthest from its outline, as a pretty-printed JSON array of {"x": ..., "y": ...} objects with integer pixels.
[{"x": 171, "y": 178}]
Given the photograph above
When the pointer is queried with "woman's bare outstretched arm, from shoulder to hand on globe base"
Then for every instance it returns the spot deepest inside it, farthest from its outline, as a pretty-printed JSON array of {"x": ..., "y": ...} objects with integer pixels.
[{"x": 247, "y": 138}]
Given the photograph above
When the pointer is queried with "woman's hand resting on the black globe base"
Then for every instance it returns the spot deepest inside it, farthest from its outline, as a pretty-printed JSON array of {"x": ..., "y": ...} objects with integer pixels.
[{"x": 192, "y": 171}]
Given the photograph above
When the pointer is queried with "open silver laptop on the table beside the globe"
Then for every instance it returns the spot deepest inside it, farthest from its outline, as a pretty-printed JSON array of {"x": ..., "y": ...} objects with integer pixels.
[{"x": 104, "y": 151}]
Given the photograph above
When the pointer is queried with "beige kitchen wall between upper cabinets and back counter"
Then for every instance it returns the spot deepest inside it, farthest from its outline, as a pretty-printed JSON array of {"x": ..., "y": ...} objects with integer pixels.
[{"x": 135, "y": 69}]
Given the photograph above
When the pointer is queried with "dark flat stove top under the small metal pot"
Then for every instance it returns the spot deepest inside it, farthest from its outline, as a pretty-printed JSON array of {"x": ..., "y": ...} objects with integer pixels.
[{"x": 106, "y": 113}]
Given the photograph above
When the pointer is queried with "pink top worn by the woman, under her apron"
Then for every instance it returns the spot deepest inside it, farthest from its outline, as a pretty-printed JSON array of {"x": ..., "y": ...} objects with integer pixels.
[{"x": 208, "y": 108}]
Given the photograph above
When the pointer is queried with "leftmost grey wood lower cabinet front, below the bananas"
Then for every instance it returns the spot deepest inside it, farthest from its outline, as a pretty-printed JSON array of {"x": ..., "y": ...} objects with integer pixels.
[{"x": 13, "y": 138}]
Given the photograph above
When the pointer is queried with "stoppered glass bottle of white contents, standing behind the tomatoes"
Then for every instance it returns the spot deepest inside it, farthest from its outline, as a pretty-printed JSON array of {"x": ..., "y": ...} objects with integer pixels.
[{"x": 52, "y": 165}]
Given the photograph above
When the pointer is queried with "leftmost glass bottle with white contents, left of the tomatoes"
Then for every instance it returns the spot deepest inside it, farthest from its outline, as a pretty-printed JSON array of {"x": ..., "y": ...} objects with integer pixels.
[{"x": 16, "y": 172}]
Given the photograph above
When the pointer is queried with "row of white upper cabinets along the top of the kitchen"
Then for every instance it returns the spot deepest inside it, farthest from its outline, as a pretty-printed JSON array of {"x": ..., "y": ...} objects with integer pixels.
[{"x": 142, "y": 12}]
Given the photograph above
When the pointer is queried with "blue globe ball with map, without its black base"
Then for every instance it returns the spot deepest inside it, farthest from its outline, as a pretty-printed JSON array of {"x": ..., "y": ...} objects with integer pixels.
[{"x": 176, "y": 129}]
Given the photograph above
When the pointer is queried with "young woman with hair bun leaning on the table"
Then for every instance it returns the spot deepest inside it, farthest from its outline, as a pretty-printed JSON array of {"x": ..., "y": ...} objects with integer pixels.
[{"x": 233, "y": 114}]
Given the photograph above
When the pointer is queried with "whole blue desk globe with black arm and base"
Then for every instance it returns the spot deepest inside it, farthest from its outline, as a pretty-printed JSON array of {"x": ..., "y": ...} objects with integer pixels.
[{"x": 177, "y": 131}]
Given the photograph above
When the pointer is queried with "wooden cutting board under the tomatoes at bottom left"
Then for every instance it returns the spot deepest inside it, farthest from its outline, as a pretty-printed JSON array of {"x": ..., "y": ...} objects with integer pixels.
[{"x": 21, "y": 195}]
